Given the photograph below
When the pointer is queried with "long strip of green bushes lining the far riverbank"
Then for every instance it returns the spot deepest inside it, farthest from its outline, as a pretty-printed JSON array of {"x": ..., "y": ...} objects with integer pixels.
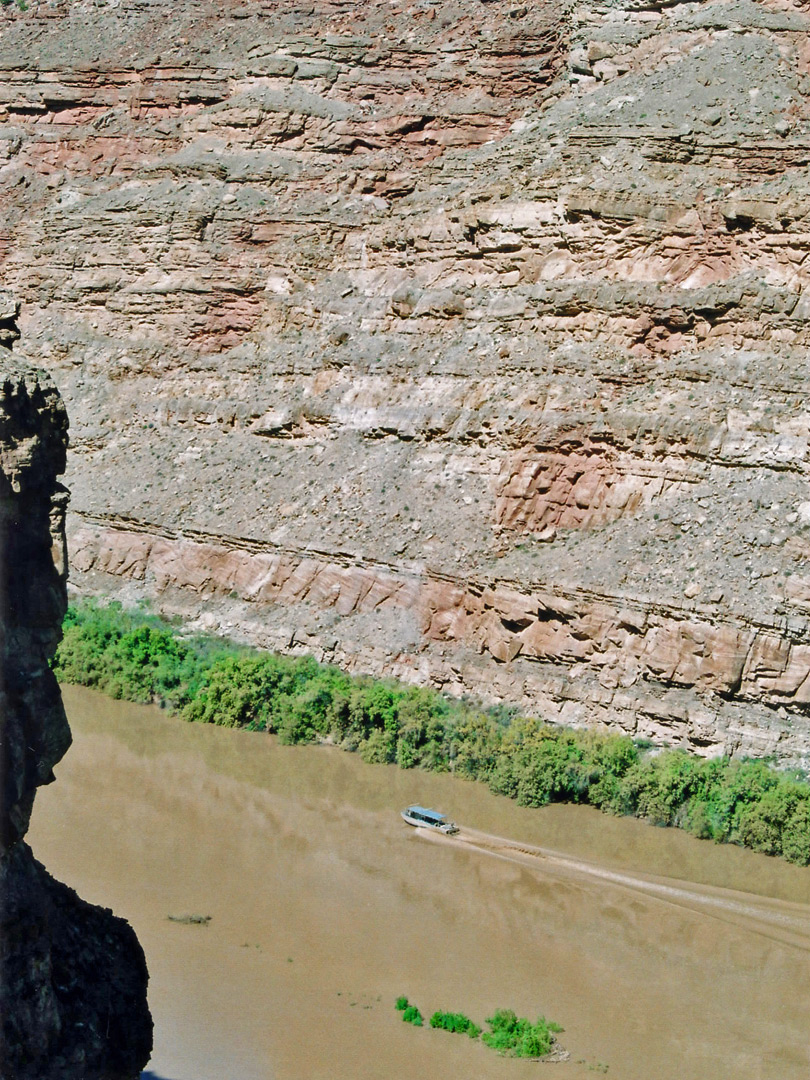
[{"x": 139, "y": 657}]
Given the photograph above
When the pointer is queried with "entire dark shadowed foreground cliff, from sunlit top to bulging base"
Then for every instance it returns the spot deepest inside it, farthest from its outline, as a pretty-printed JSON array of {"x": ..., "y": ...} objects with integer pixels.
[{"x": 73, "y": 978}]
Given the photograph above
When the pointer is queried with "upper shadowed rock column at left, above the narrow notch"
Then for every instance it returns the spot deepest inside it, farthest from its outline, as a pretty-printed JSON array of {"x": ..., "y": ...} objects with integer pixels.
[{"x": 33, "y": 598}]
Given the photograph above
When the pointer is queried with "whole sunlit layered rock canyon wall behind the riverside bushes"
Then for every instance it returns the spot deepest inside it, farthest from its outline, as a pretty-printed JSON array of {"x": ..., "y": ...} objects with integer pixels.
[{"x": 462, "y": 341}]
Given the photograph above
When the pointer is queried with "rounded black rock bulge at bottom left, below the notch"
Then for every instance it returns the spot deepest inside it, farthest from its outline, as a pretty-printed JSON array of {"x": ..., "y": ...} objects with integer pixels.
[{"x": 74, "y": 983}]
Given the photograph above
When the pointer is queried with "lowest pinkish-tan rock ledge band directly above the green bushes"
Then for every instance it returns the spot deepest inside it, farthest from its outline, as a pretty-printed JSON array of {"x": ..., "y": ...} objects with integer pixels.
[{"x": 688, "y": 676}]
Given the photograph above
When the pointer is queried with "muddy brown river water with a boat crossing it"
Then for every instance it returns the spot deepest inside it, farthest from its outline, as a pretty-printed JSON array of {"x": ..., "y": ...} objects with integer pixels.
[{"x": 663, "y": 956}]
